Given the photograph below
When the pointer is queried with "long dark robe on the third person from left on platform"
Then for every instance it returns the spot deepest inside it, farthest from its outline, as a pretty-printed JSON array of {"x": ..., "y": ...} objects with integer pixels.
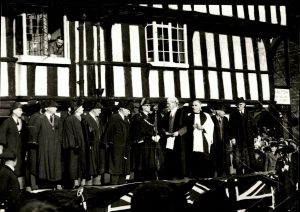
[{"x": 74, "y": 143}]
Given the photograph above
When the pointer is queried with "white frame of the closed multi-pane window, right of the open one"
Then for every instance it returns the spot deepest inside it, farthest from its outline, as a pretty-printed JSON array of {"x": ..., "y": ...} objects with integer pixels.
[{"x": 155, "y": 26}]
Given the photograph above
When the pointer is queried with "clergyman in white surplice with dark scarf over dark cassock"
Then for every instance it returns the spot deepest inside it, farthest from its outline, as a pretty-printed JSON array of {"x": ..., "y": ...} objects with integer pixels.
[{"x": 200, "y": 128}]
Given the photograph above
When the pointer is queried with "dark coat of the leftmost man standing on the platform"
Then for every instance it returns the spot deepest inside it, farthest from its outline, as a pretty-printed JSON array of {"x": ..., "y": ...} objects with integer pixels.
[{"x": 14, "y": 141}]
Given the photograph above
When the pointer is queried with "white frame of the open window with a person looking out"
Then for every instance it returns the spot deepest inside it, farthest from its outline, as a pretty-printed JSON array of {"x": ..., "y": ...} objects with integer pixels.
[{"x": 44, "y": 59}]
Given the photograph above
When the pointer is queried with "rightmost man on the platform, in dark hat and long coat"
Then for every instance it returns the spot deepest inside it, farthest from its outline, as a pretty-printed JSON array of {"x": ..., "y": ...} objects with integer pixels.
[{"x": 242, "y": 132}]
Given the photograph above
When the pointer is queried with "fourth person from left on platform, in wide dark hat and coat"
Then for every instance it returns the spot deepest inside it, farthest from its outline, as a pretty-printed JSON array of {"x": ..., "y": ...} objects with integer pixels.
[{"x": 93, "y": 130}]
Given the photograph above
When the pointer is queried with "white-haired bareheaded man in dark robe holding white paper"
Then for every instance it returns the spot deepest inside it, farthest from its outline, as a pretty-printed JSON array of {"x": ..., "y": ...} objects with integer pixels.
[{"x": 172, "y": 142}]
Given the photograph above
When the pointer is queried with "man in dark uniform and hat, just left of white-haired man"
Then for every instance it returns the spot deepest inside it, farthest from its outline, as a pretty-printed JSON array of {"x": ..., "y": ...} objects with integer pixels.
[{"x": 145, "y": 141}]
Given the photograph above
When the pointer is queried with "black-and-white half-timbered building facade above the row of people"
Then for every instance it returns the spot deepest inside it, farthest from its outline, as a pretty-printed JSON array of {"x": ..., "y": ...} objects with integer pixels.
[{"x": 210, "y": 52}]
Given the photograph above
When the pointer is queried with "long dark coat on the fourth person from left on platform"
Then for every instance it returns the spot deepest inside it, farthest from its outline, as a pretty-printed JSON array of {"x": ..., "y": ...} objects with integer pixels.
[{"x": 95, "y": 149}]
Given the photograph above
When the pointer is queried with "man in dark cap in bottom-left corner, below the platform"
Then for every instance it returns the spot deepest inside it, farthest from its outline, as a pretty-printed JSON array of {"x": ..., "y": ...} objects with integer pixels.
[{"x": 10, "y": 192}]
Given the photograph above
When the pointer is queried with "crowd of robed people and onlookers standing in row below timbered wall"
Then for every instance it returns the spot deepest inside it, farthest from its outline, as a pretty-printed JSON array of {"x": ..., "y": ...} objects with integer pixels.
[{"x": 166, "y": 143}]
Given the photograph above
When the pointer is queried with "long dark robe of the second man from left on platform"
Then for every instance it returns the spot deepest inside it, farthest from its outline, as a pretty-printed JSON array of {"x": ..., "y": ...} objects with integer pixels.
[{"x": 49, "y": 140}]
